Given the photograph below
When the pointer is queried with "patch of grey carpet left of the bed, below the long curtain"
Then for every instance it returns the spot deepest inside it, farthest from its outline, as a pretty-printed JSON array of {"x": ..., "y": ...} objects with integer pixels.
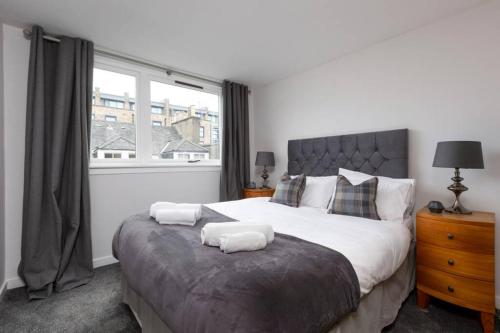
[{"x": 95, "y": 307}]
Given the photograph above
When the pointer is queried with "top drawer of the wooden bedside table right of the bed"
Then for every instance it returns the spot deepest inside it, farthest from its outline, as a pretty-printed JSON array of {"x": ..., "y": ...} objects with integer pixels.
[{"x": 456, "y": 236}]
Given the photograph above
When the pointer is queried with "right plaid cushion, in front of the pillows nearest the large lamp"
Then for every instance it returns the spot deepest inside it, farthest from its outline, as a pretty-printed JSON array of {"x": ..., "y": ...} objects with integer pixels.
[{"x": 356, "y": 200}]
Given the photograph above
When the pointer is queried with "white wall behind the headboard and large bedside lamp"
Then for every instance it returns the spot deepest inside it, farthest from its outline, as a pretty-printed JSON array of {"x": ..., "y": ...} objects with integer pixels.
[{"x": 441, "y": 81}]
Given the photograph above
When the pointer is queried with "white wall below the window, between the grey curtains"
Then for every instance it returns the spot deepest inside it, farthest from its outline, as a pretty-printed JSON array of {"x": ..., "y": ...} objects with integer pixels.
[{"x": 117, "y": 196}]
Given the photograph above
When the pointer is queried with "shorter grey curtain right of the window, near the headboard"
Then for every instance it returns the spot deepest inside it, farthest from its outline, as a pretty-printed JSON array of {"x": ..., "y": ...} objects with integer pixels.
[{"x": 235, "y": 173}]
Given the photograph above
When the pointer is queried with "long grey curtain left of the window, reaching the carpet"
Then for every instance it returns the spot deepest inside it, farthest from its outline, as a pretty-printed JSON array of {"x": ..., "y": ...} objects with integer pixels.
[{"x": 56, "y": 252}]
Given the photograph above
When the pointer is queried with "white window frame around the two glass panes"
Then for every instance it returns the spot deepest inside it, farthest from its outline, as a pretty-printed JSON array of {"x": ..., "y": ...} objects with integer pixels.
[{"x": 144, "y": 160}]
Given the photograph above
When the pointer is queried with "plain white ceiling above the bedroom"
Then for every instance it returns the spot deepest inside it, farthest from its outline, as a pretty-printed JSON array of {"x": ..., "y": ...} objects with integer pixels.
[{"x": 252, "y": 41}]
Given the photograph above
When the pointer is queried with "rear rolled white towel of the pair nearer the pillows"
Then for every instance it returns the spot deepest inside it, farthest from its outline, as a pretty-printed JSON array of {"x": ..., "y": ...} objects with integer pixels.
[{"x": 212, "y": 232}]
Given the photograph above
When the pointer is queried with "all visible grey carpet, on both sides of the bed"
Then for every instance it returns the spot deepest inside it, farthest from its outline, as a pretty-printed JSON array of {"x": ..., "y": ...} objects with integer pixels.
[{"x": 97, "y": 307}]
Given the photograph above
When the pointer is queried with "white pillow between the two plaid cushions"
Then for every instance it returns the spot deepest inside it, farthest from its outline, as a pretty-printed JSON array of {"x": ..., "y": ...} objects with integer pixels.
[{"x": 318, "y": 191}]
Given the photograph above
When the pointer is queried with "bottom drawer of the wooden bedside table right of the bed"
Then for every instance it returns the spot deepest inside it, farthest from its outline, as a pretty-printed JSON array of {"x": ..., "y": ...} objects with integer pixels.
[{"x": 474, "y": 294}]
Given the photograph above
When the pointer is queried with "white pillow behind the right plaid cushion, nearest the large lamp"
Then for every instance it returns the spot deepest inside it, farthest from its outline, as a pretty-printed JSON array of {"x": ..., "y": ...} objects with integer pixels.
[{"x": 395, "y": 197}]
